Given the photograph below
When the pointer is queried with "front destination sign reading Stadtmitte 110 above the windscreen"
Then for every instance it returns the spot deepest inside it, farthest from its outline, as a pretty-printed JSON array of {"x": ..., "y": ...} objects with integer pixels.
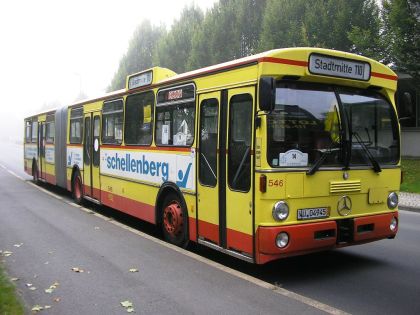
[{"x": 338, "y": 67}]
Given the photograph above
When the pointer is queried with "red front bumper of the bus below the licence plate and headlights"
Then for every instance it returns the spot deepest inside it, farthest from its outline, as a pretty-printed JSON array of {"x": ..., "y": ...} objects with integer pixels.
[{"x": 309, "y": 237}]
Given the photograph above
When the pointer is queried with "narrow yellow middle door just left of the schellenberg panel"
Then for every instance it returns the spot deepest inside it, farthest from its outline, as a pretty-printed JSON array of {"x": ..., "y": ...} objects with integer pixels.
[{"x": 91, "y": 159}]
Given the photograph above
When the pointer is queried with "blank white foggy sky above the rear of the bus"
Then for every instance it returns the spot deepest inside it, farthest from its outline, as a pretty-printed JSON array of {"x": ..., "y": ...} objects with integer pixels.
[{"x": 50, "y": 50}]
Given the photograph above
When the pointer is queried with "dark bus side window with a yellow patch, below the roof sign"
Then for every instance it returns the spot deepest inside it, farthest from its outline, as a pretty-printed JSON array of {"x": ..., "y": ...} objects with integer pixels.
[{"x": 139, "y": 118}]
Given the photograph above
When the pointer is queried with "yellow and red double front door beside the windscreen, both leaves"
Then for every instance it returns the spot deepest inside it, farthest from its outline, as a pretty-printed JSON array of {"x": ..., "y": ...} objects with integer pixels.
[{"x": 225, "y": 164}]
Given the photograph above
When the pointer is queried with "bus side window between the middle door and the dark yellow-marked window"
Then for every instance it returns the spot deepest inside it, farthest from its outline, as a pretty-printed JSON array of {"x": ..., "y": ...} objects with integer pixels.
[{"x": 112, "y": 122}]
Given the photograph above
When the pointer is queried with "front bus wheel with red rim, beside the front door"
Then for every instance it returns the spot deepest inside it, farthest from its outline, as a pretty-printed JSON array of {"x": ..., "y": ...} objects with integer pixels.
[{"x": 174, "y": 221}]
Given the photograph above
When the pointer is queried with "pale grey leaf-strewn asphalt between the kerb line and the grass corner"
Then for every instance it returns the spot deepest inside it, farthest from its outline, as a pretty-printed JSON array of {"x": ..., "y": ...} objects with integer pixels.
[{"x": 44, "y": 239}]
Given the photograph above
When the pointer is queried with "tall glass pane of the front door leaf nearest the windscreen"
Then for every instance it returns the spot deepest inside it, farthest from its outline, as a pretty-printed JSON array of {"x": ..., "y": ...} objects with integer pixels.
[{"x": 240, "y": 138}]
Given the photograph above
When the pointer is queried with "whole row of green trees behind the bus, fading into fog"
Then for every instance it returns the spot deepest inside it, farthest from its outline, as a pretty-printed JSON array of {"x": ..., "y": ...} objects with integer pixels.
[{"x": 387, "y": 31}]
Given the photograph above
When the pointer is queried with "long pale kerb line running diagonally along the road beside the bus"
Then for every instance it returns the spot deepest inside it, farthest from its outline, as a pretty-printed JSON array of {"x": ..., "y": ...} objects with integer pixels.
[{"x": 276, "y": 289}]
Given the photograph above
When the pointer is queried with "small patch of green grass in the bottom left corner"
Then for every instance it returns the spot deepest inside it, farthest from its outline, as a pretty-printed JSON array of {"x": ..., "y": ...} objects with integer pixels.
[{"x": 10, "y": 303}]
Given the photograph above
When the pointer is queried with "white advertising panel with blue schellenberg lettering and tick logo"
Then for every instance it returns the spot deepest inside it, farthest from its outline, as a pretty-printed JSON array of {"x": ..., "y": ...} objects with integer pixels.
[{"x": 154, "y": 167}]
